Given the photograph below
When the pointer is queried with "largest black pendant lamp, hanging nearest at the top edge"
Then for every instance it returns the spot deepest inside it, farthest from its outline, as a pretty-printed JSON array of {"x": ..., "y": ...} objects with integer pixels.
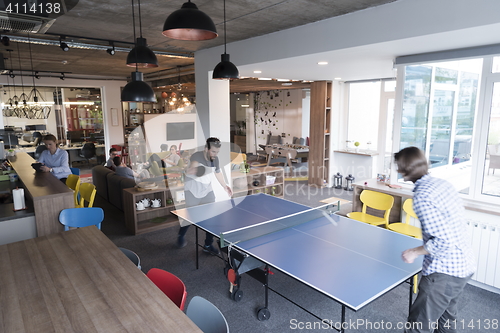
[{"x": 189, "y": 23}]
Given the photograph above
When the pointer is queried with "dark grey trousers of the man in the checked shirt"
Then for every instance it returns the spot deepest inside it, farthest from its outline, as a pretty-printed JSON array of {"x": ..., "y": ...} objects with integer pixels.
[{"x": 435, "y": 309}]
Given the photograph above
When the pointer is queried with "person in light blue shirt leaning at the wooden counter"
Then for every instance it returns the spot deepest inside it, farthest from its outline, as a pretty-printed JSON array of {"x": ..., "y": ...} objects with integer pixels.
[{"x": 55, "y": 160}]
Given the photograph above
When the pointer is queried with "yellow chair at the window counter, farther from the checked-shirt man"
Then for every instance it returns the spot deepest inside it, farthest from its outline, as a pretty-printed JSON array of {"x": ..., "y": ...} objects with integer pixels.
[{"x": 375, "y": 200}]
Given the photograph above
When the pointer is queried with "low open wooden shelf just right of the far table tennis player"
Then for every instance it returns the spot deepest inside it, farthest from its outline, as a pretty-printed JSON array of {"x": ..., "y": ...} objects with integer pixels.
[{"x": 243, "y": 182}]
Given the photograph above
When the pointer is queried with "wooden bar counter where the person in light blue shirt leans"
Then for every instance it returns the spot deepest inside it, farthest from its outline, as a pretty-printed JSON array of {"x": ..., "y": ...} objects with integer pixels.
[{"x": 44, "y": 192}]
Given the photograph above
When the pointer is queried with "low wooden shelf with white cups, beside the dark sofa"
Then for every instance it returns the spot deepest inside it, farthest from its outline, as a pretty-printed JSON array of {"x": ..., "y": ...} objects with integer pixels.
[{"x": 151, "y": 218}]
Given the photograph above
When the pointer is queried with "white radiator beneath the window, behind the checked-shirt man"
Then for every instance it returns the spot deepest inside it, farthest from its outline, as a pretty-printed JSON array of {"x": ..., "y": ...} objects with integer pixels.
[{"x": 485, "y": 239}]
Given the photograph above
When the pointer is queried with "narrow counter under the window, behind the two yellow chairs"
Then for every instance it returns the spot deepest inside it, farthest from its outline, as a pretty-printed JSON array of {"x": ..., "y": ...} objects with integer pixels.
[{"x": 399, "y": 194}]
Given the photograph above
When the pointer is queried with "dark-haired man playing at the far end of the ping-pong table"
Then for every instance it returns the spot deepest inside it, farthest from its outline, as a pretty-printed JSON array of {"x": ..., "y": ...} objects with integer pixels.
[{"x": 198, "y": 187}]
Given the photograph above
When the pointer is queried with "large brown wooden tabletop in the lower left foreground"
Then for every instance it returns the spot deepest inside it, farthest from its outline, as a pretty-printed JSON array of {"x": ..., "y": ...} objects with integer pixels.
[{"x": 79, "y": 281}]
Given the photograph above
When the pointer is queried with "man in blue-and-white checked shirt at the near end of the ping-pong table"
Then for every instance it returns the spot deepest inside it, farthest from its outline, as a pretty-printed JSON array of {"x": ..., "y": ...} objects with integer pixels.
[{"x": 448, "y": 258}]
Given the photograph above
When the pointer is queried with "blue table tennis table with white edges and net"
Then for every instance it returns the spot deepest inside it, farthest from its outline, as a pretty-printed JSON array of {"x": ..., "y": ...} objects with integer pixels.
[{"x": 351, "y": 262}]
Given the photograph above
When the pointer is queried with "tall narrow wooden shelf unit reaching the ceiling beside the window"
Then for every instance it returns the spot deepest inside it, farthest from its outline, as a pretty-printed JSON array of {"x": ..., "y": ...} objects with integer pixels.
[{"x": 319, "y": 132}]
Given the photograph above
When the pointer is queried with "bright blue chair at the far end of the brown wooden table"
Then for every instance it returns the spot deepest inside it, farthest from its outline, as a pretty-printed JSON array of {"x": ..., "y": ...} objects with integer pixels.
[{"x": 81, "y": 217}]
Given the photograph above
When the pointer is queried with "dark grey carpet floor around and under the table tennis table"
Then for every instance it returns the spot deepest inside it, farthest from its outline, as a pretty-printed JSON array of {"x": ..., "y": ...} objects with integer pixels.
[{"x": 157, "y": 249}]
